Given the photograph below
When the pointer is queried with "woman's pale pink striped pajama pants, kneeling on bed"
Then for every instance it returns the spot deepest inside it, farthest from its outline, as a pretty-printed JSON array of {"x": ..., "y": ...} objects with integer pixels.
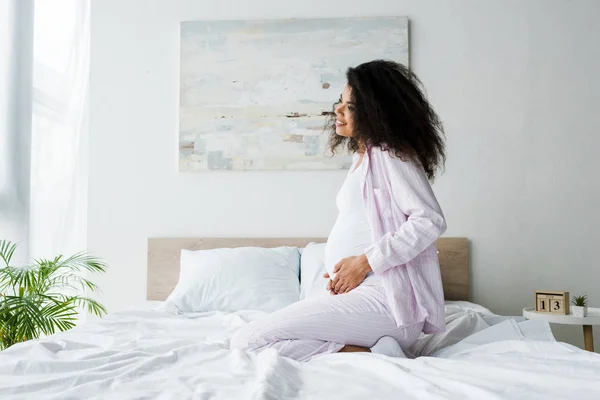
[{"x": 325, "y": 325}]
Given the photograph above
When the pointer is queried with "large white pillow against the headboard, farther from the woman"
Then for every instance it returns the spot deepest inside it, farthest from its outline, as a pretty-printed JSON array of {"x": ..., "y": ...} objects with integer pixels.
[{"x": 243, "y": 278}]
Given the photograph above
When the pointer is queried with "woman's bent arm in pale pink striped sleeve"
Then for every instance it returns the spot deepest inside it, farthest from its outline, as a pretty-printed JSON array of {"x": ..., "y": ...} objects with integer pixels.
[{"x": 412, "y": 193}]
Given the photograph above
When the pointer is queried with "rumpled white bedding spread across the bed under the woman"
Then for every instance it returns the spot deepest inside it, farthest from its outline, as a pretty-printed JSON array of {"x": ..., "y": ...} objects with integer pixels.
[{"x": 157, "y": 355}]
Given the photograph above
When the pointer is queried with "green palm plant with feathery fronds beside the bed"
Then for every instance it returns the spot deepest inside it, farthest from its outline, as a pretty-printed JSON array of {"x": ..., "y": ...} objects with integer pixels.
[{"x": 45, "y": 297}]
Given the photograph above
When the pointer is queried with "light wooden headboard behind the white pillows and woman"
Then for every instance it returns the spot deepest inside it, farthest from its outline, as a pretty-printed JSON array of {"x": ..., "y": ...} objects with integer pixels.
[{"x": 164, "y": 253}]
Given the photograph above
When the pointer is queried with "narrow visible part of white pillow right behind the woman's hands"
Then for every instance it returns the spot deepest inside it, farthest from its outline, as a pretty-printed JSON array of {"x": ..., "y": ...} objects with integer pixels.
[{"x": 312, "y": 268}]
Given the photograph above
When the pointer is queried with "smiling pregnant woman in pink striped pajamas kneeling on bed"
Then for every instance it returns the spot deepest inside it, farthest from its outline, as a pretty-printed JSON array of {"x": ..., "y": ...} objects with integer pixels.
[{"x": 384, "y": 274}]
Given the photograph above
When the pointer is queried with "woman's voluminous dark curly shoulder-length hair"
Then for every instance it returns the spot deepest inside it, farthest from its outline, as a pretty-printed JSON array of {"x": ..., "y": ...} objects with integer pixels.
[{"x": 392, "y": 112}]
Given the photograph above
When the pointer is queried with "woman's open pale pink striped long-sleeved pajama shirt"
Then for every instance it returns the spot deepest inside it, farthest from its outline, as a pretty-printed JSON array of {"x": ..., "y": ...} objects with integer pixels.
[{"x": 406, "y": 220}]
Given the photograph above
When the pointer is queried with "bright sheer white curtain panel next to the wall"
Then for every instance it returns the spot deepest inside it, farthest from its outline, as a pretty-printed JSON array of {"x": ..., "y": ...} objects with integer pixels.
[{"x": 60, "y": 127}]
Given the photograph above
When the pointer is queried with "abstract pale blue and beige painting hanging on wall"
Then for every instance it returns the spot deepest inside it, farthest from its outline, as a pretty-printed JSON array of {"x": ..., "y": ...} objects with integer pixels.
[{"x": 254, "y": 95}]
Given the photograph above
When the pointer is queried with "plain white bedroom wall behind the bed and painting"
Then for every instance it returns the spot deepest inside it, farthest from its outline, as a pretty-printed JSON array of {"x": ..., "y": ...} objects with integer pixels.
[{"x": 514, "y": 81}]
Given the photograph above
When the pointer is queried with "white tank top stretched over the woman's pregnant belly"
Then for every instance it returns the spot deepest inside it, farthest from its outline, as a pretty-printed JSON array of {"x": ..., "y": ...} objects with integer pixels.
[{"x": 351, "y": 234}]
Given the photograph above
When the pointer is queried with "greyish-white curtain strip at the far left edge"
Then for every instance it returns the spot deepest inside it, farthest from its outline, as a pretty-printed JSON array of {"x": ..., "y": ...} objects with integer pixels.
[{"x": 16, "y": 59}]
